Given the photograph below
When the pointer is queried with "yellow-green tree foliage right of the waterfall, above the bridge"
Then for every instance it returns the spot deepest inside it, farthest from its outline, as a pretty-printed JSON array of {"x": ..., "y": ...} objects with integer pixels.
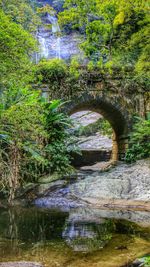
[{"x": 116, "y": 31}]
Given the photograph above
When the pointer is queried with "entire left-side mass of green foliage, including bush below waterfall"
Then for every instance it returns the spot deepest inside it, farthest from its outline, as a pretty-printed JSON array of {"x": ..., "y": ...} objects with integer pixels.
[{"x": 34, "y": 138}]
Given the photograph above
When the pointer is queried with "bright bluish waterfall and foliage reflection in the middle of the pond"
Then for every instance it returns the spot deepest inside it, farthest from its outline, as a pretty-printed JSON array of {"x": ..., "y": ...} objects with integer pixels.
[{"x": 85, "y": 236}]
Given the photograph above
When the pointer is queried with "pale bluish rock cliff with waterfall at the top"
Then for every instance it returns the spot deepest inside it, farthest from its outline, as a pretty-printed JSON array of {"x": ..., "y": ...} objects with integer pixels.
[{"x": 55, "y": 42}]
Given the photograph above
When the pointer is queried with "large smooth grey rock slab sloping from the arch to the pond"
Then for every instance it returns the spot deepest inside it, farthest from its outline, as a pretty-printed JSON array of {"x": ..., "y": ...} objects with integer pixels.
[{"x": 122, "y": 186}]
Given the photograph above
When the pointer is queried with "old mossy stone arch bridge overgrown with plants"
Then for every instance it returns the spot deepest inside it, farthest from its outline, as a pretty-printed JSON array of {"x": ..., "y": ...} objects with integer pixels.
[{"x": 112, "y": 98}]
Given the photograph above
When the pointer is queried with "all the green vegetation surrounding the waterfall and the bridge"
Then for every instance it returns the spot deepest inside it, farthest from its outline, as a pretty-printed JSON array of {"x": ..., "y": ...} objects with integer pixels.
[{"x": 34, "y": 139}]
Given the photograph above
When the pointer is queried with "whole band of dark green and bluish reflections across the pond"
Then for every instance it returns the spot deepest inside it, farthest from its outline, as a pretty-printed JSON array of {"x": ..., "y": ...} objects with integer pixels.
[{"x": 31, "y": 228}]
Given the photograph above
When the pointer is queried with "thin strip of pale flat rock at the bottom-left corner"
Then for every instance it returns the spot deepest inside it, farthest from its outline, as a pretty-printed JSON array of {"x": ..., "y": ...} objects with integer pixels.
[{"x": 20, "y": 264}]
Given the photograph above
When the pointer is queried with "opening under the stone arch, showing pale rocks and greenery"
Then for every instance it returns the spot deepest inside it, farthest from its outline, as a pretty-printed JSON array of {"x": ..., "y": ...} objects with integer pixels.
[{"x": 93, "y": 137}]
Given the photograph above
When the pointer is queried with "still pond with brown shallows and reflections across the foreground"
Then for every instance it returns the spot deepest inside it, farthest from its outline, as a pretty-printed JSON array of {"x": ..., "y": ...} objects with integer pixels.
[{"x": 77, "y": 238}]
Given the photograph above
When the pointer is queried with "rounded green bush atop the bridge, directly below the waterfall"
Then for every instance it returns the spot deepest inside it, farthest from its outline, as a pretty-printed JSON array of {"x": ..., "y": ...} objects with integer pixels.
[{"x": 60, "y": 78}]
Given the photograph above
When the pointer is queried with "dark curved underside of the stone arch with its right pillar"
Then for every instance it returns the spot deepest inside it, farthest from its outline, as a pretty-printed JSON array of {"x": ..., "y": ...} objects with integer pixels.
[{"x": 112, "y": 111}]
